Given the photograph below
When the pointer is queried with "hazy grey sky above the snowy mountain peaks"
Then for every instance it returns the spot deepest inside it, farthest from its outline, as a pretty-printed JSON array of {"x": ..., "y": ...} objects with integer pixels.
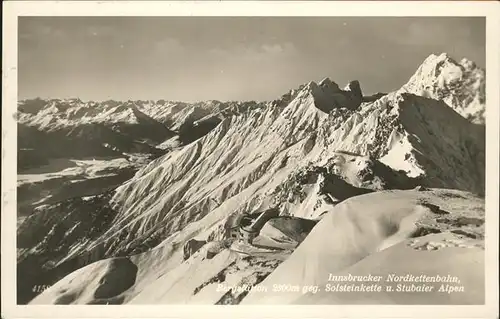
[{"x": 229, "y": 58}]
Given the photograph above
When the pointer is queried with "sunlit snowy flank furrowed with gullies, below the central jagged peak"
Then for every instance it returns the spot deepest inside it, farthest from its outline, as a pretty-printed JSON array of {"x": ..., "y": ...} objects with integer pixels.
[{"x": 399, "y": 130}]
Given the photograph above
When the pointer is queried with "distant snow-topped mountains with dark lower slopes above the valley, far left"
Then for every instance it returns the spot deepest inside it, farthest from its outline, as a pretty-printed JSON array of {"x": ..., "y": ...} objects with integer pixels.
[{"x": 117, "y": 125}]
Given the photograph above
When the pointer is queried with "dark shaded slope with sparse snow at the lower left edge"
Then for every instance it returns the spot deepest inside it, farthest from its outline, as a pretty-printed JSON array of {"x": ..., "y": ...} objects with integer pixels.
[{"x": 50, "y": 232}]
